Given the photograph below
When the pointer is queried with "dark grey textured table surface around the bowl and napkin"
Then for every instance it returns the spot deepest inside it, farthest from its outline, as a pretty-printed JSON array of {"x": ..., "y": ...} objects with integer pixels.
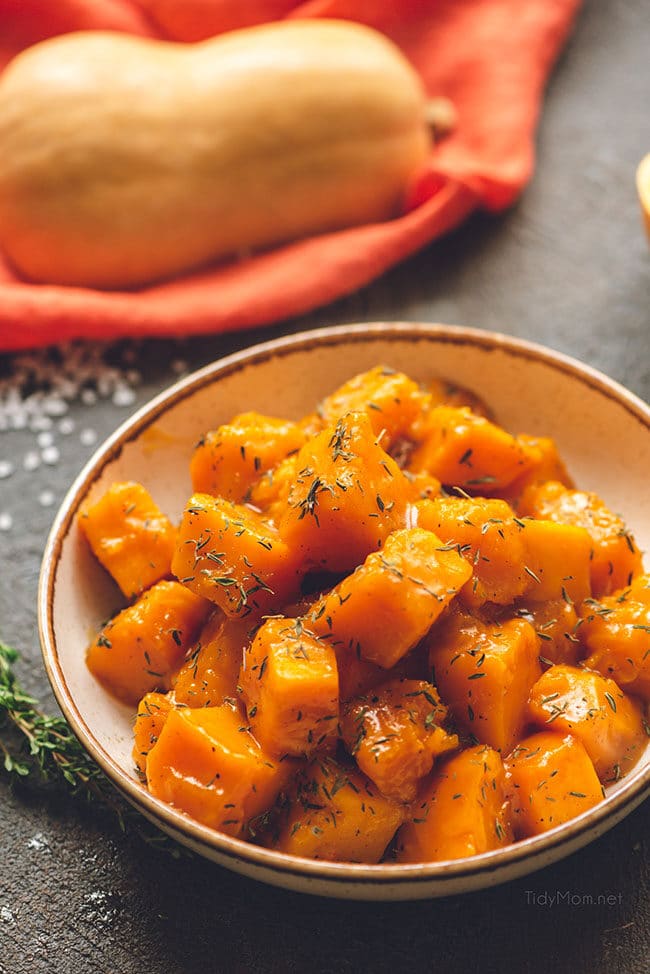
[{"x": 568, "y": 266}]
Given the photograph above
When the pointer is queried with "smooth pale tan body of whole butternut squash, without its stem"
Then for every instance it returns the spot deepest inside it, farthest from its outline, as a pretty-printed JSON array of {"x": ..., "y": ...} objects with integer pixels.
[{"x": 127, "y": 160}]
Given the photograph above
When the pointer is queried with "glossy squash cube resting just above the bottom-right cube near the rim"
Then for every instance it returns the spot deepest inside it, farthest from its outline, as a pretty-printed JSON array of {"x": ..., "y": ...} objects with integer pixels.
[{"x": 594, "y": 709}]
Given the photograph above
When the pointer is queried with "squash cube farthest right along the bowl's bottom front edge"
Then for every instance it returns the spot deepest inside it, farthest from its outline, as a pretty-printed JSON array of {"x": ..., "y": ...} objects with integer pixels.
[{"x": 551, "y": 779}]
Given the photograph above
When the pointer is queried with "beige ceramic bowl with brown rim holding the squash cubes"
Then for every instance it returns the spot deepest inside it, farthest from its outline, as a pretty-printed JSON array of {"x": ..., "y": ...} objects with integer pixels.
[{"x": 602, "y": 431}]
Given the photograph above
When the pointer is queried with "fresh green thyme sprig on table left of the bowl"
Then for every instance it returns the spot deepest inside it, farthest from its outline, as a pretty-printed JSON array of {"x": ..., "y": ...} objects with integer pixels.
[{"x": 48, "y": 748}]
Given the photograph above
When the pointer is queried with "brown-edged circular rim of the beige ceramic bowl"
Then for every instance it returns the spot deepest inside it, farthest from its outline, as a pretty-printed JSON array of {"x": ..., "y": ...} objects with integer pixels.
[{"x": 613, "y": 807}]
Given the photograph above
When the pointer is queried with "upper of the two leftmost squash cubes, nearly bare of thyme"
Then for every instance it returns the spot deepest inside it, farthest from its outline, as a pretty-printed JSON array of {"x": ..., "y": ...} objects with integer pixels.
[{"x": 130, "y": 536}]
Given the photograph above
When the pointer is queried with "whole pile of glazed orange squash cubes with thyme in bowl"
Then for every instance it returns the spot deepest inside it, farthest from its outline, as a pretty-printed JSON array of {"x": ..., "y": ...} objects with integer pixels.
[{"x": 374, "y": 605}]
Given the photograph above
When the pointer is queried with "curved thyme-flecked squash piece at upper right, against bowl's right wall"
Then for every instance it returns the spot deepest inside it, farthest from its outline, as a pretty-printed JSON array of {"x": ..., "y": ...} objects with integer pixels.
[{"x": 616, "y": 559}]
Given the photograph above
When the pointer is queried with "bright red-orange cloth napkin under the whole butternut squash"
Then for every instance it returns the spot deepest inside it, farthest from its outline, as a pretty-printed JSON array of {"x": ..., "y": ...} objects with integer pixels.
[{"x": 490, "y": 57}]
